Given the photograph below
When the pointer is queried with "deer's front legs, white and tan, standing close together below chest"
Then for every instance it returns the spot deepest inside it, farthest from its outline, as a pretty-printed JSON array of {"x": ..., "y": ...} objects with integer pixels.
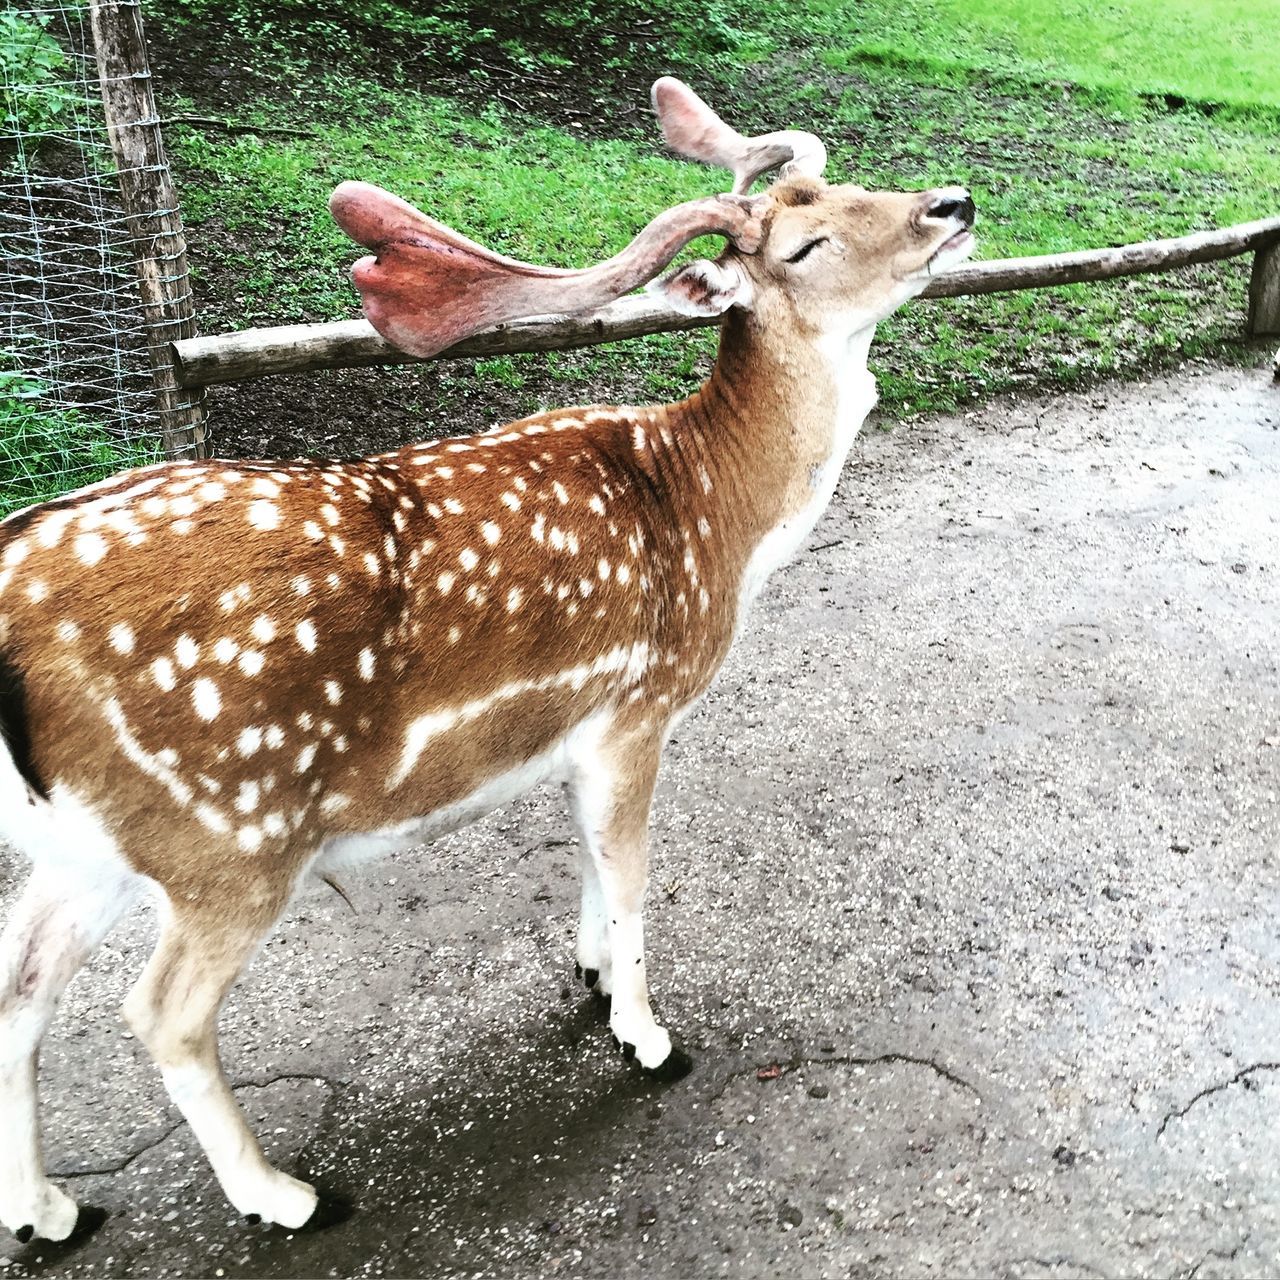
[{"x": 612, "y": 792}]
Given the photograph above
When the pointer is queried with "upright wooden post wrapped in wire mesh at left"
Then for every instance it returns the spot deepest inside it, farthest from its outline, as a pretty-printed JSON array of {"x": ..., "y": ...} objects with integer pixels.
[{"x": 153, "y": 217}]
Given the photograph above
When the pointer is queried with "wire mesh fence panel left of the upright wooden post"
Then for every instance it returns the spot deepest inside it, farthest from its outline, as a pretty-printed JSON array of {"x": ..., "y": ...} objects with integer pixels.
[{"x": 76, "y": 390}]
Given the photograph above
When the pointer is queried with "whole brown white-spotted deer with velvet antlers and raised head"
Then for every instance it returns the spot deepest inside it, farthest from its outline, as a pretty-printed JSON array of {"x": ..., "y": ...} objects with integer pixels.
[{"x": 222, "y": 679}]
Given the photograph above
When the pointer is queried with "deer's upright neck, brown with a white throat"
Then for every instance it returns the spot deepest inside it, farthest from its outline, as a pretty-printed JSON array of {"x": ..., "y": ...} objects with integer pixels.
[{"x": 767, "y": 438}]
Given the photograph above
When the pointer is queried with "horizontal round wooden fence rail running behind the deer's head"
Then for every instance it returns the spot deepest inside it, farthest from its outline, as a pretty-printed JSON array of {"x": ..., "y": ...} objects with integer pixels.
[{"x": 298, "y": 349}]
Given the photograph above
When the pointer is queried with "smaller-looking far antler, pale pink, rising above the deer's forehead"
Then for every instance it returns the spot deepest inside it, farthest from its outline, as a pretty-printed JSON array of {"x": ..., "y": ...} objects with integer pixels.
[{"x": 696, "y": 131}]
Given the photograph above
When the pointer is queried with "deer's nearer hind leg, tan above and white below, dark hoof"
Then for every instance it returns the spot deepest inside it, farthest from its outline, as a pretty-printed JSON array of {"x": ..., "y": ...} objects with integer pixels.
[{"x": 204, "y": 945}]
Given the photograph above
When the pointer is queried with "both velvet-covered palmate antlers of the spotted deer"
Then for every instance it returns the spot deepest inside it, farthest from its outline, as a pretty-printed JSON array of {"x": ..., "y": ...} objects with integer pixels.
[{"x": 426, "y": 287}]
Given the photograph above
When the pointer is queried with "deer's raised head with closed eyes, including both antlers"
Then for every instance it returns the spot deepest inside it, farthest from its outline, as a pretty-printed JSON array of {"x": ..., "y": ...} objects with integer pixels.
[{"x": 830, "y": 259}]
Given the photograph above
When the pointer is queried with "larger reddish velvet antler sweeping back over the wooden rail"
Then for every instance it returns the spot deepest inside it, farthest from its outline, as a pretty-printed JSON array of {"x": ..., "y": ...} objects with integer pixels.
[{"x": 426, "y": 287}]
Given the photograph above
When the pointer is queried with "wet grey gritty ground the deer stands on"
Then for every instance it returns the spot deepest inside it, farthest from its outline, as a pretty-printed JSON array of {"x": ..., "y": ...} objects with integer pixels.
[{"x": 966, "y": 900}]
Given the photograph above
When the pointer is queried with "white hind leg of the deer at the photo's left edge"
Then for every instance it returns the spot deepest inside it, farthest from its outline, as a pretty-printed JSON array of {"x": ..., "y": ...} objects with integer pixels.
[{"x": 56, "y": 927}]
